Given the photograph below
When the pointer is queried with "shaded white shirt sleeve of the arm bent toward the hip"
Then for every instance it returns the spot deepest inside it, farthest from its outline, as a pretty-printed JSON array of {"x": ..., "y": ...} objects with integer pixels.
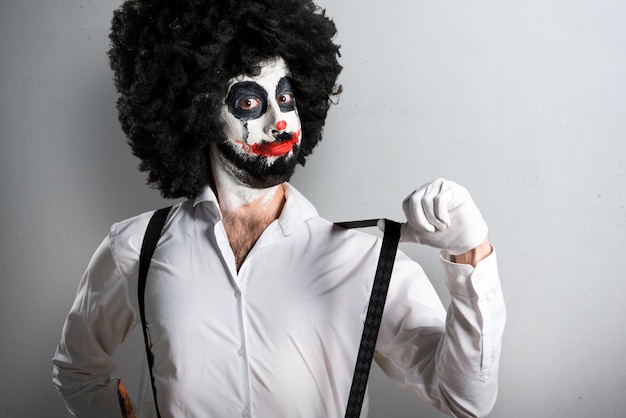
[{"x": 99, "y": 320}]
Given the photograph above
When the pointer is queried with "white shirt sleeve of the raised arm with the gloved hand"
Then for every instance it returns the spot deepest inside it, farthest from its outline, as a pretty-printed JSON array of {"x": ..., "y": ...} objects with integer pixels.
[{"x": 447, "y": 359}]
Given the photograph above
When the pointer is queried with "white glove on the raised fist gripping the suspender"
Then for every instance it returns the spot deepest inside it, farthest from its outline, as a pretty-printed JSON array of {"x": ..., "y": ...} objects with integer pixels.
[{"x": 443, "y": 215}]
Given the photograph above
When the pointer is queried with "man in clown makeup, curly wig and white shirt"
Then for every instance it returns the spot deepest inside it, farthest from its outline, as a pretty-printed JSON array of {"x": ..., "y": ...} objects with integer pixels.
[{"x": 254, "y": 304}]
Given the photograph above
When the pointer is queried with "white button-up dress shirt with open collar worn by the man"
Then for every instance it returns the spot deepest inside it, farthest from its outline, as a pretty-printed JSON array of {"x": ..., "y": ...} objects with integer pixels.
[{"x": 280, "y": 337}]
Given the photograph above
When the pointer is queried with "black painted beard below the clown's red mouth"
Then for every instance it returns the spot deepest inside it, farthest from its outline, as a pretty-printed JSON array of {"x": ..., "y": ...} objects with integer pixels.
[{"x": 254, "y": 171}]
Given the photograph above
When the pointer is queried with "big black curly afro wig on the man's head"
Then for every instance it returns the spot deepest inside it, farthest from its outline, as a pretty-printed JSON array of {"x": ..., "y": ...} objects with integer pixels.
[{"x": 172, "y": 61}]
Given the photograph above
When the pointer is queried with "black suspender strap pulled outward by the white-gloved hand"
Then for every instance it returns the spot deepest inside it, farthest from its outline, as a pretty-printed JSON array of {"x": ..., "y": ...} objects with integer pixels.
[{"x": 373, "y": 318}]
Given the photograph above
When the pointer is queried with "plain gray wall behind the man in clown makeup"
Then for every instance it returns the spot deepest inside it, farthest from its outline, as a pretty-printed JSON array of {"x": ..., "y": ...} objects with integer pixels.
[{"x": 522, "y": 102}]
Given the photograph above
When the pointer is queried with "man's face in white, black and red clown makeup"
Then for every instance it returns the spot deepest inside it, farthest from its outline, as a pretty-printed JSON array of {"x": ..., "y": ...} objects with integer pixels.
[{"x": 262, "y": 127}]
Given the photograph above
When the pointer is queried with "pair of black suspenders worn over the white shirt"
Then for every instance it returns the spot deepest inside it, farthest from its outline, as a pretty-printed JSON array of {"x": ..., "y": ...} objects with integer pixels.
[{"x": 372, "y": 320}]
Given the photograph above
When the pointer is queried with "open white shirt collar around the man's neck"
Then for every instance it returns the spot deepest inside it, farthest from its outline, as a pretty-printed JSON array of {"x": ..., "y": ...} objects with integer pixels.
[{"x": 297, "y": 208}]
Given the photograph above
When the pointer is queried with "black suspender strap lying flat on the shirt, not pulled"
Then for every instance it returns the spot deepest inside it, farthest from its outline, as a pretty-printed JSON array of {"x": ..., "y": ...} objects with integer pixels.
[{"x": 150, "y": 240}]
